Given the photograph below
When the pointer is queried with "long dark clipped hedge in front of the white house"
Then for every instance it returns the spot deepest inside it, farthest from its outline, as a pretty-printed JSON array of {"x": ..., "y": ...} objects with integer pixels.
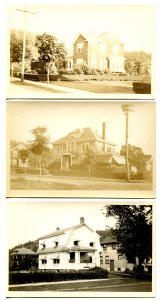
[{"x": 49, "y": 276}]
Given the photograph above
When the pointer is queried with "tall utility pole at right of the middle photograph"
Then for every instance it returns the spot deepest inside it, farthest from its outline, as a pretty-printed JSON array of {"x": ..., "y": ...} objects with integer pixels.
[{"x": 126, "y": 109}]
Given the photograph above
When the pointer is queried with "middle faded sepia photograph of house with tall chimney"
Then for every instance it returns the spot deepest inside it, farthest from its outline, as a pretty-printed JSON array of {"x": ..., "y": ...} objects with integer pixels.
[{"x": 74, "y": 149}]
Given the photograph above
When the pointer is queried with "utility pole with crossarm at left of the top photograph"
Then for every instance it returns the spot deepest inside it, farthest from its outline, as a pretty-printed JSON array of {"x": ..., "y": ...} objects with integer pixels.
[{"x": 25, "y": 11}]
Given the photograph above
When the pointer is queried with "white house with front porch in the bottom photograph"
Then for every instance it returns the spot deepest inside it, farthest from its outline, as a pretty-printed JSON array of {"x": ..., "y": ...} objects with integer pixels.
[{"x": 75, "y": 248}]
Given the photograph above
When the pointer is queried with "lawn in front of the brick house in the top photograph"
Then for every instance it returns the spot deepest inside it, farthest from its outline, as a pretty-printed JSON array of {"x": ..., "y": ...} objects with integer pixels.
[{"x": 96, "y": 87}]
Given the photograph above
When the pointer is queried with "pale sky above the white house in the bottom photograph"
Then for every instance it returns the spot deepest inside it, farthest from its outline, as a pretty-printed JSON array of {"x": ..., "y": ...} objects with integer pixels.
[{"x": 31, "y": 220}]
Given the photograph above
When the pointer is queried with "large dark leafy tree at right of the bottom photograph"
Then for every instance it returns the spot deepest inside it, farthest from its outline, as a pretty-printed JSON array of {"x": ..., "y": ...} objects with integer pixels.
[{"x": 133, "y": 230}]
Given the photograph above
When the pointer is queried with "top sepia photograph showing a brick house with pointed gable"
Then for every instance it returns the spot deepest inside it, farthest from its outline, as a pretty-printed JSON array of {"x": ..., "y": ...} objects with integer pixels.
[{"x": 82, "y": 50}]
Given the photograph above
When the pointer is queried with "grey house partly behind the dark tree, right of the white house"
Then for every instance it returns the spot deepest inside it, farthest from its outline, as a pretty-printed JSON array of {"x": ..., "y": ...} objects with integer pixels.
[{"x": 111, "y": 257}]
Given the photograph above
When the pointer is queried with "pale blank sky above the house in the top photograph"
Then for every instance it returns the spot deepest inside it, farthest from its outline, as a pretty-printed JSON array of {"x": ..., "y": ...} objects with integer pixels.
[{"x": 129, "y": 22}]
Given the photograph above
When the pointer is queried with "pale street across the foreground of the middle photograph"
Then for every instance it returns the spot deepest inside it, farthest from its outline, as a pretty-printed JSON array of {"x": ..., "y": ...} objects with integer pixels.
[{"x": 81, "y": 183}]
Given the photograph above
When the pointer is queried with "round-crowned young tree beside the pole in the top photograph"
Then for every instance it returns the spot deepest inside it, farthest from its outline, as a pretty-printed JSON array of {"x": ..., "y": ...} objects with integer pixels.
[{"x": 49, "y": 50}]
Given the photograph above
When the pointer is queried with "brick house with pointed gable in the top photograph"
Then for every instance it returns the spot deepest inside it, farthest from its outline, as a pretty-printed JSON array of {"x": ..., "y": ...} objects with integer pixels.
[{"x": 103, "y": 52}]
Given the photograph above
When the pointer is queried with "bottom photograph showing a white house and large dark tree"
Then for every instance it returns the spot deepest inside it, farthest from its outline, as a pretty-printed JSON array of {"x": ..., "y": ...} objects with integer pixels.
[{"x": 98, "y": 247}]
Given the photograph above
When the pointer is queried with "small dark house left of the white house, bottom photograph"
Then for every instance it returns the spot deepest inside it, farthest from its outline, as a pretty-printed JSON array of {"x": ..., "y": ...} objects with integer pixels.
[{"x": 23, "y": 259}]
